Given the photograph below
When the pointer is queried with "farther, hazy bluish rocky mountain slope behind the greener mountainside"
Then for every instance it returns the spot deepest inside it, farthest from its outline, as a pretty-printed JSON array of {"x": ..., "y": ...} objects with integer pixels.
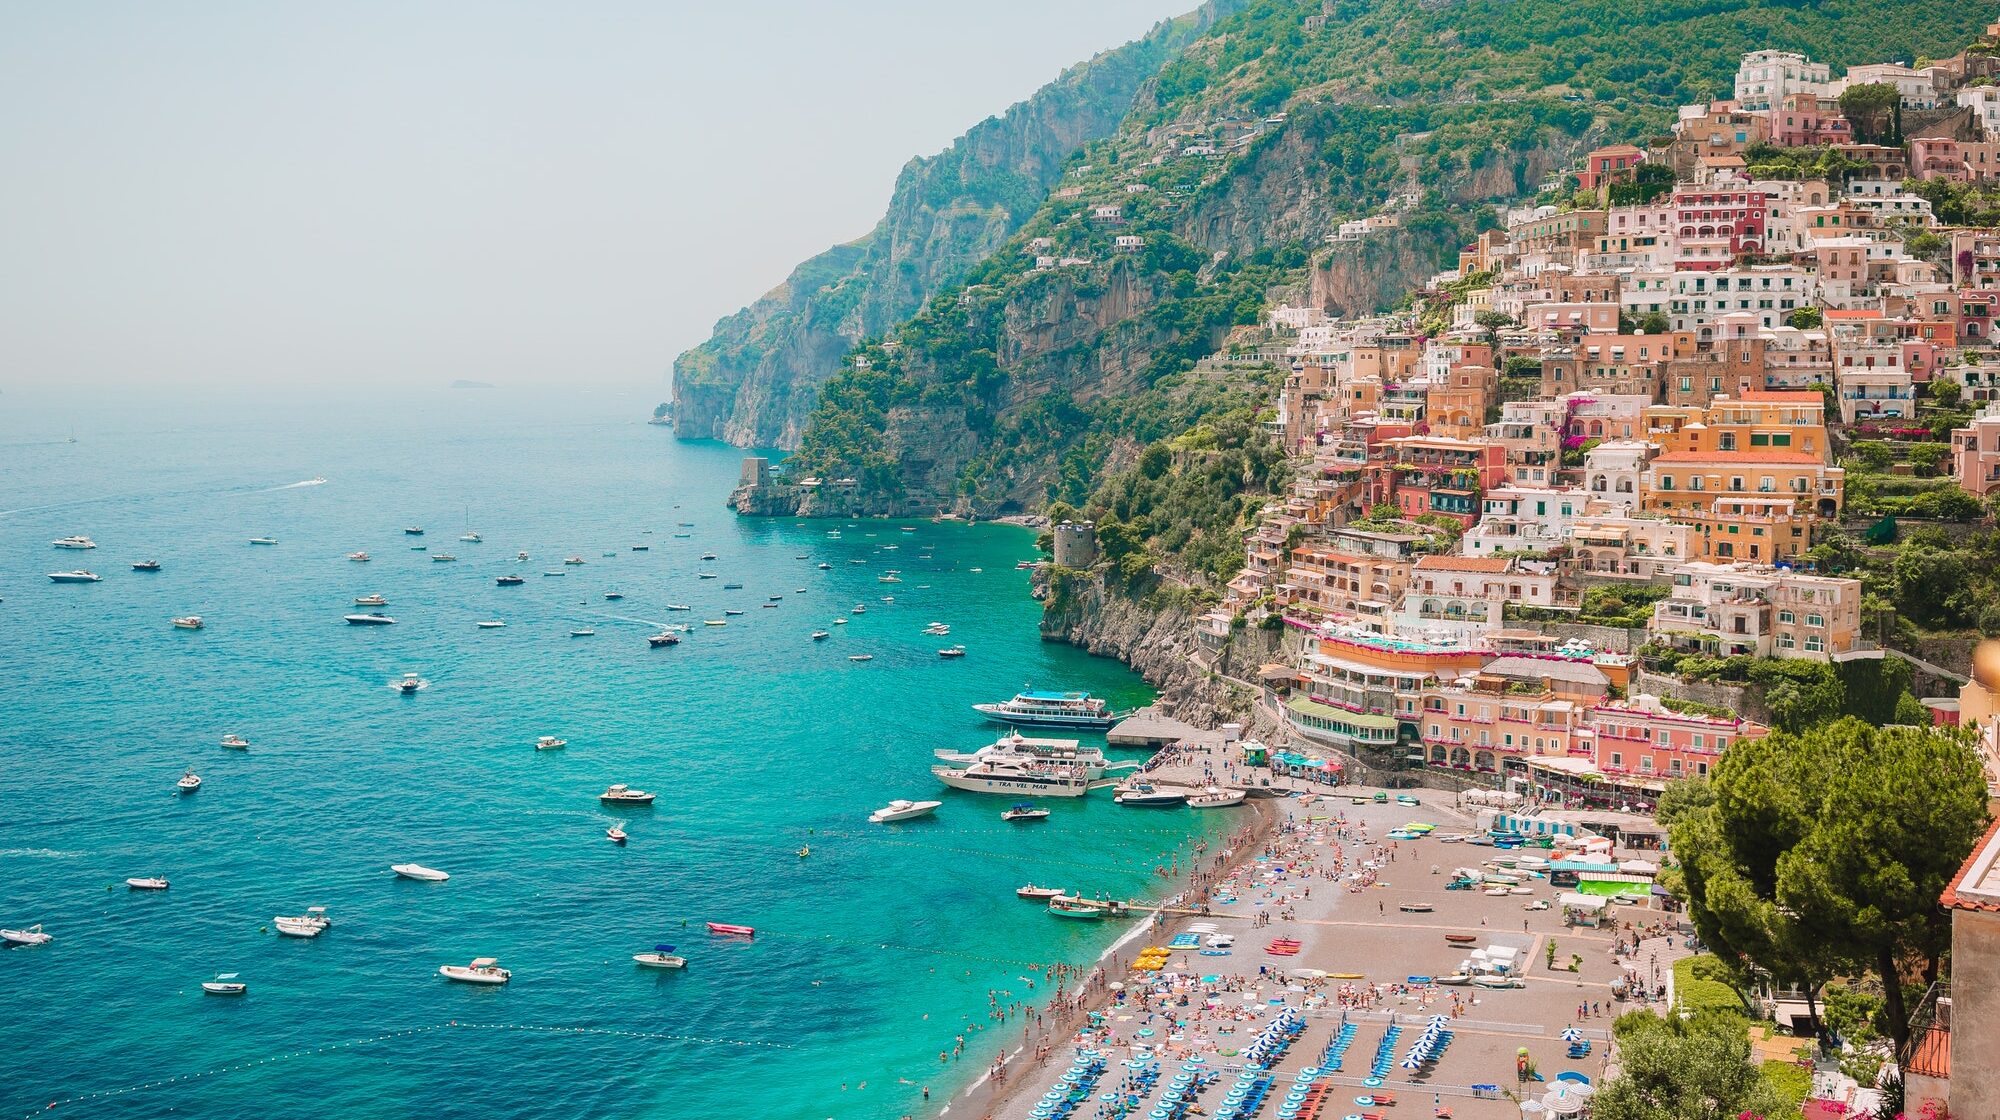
[{"x": 759, "y": 375}]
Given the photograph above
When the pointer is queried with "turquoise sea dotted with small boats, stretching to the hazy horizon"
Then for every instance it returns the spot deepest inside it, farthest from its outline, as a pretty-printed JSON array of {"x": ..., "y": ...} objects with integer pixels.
[{"x": 873, "y": 953}]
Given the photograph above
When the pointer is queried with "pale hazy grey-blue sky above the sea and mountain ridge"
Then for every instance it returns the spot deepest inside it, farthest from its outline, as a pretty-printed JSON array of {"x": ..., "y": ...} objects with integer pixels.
[{"x": 209, "y": 193}]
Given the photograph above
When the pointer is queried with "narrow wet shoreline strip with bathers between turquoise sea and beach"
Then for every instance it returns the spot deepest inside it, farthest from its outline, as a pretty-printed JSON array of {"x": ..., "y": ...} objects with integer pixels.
[{"x": 1011, "y": 1077}]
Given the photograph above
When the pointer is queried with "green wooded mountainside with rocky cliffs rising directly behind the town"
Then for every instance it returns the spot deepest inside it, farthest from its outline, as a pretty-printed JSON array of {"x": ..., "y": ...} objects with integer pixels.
[{"x": 1075, "y": 341}]
